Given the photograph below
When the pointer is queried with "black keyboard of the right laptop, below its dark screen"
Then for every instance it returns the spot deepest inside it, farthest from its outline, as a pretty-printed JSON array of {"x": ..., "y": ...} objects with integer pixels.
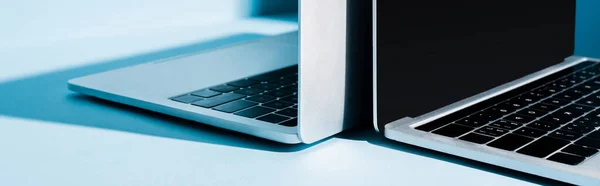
[{"x": 556, "y": 118}]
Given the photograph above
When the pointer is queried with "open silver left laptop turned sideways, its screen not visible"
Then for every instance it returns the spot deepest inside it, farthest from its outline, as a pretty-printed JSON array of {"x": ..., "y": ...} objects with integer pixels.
[{"x": 290, "y": 88}]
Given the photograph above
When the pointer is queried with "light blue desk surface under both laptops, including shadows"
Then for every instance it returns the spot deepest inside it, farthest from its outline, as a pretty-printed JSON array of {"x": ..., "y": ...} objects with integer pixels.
[{"x": 50, "y": 136}]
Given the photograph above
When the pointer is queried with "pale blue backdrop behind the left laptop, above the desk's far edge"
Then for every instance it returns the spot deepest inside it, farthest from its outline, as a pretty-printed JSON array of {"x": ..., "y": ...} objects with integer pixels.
[{"x": 31, "y": 22}]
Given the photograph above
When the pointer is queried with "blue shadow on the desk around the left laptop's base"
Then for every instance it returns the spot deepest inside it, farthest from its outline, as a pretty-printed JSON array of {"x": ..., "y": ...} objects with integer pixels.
[{"x": 45, "y": 97}]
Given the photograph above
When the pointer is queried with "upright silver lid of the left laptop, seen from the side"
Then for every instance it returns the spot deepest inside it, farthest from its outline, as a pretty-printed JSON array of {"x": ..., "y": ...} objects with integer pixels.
[{"x": 334, "y": 67}]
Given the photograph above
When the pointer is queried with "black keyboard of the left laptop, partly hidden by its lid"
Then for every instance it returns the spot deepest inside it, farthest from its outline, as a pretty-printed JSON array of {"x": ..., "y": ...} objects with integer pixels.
[{"x": 271, "y": 97}]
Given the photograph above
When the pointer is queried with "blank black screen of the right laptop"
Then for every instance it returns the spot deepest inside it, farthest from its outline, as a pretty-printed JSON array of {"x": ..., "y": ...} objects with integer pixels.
[{"x": 433, "y": 53}]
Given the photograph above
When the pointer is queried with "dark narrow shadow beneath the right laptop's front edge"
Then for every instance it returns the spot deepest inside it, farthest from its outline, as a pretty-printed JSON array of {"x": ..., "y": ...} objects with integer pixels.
[{"x": 366, "y": 133}]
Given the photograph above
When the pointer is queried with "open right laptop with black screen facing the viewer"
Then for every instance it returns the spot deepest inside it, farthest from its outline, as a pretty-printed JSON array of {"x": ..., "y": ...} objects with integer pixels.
[{"x": 496, "y": 82}]
